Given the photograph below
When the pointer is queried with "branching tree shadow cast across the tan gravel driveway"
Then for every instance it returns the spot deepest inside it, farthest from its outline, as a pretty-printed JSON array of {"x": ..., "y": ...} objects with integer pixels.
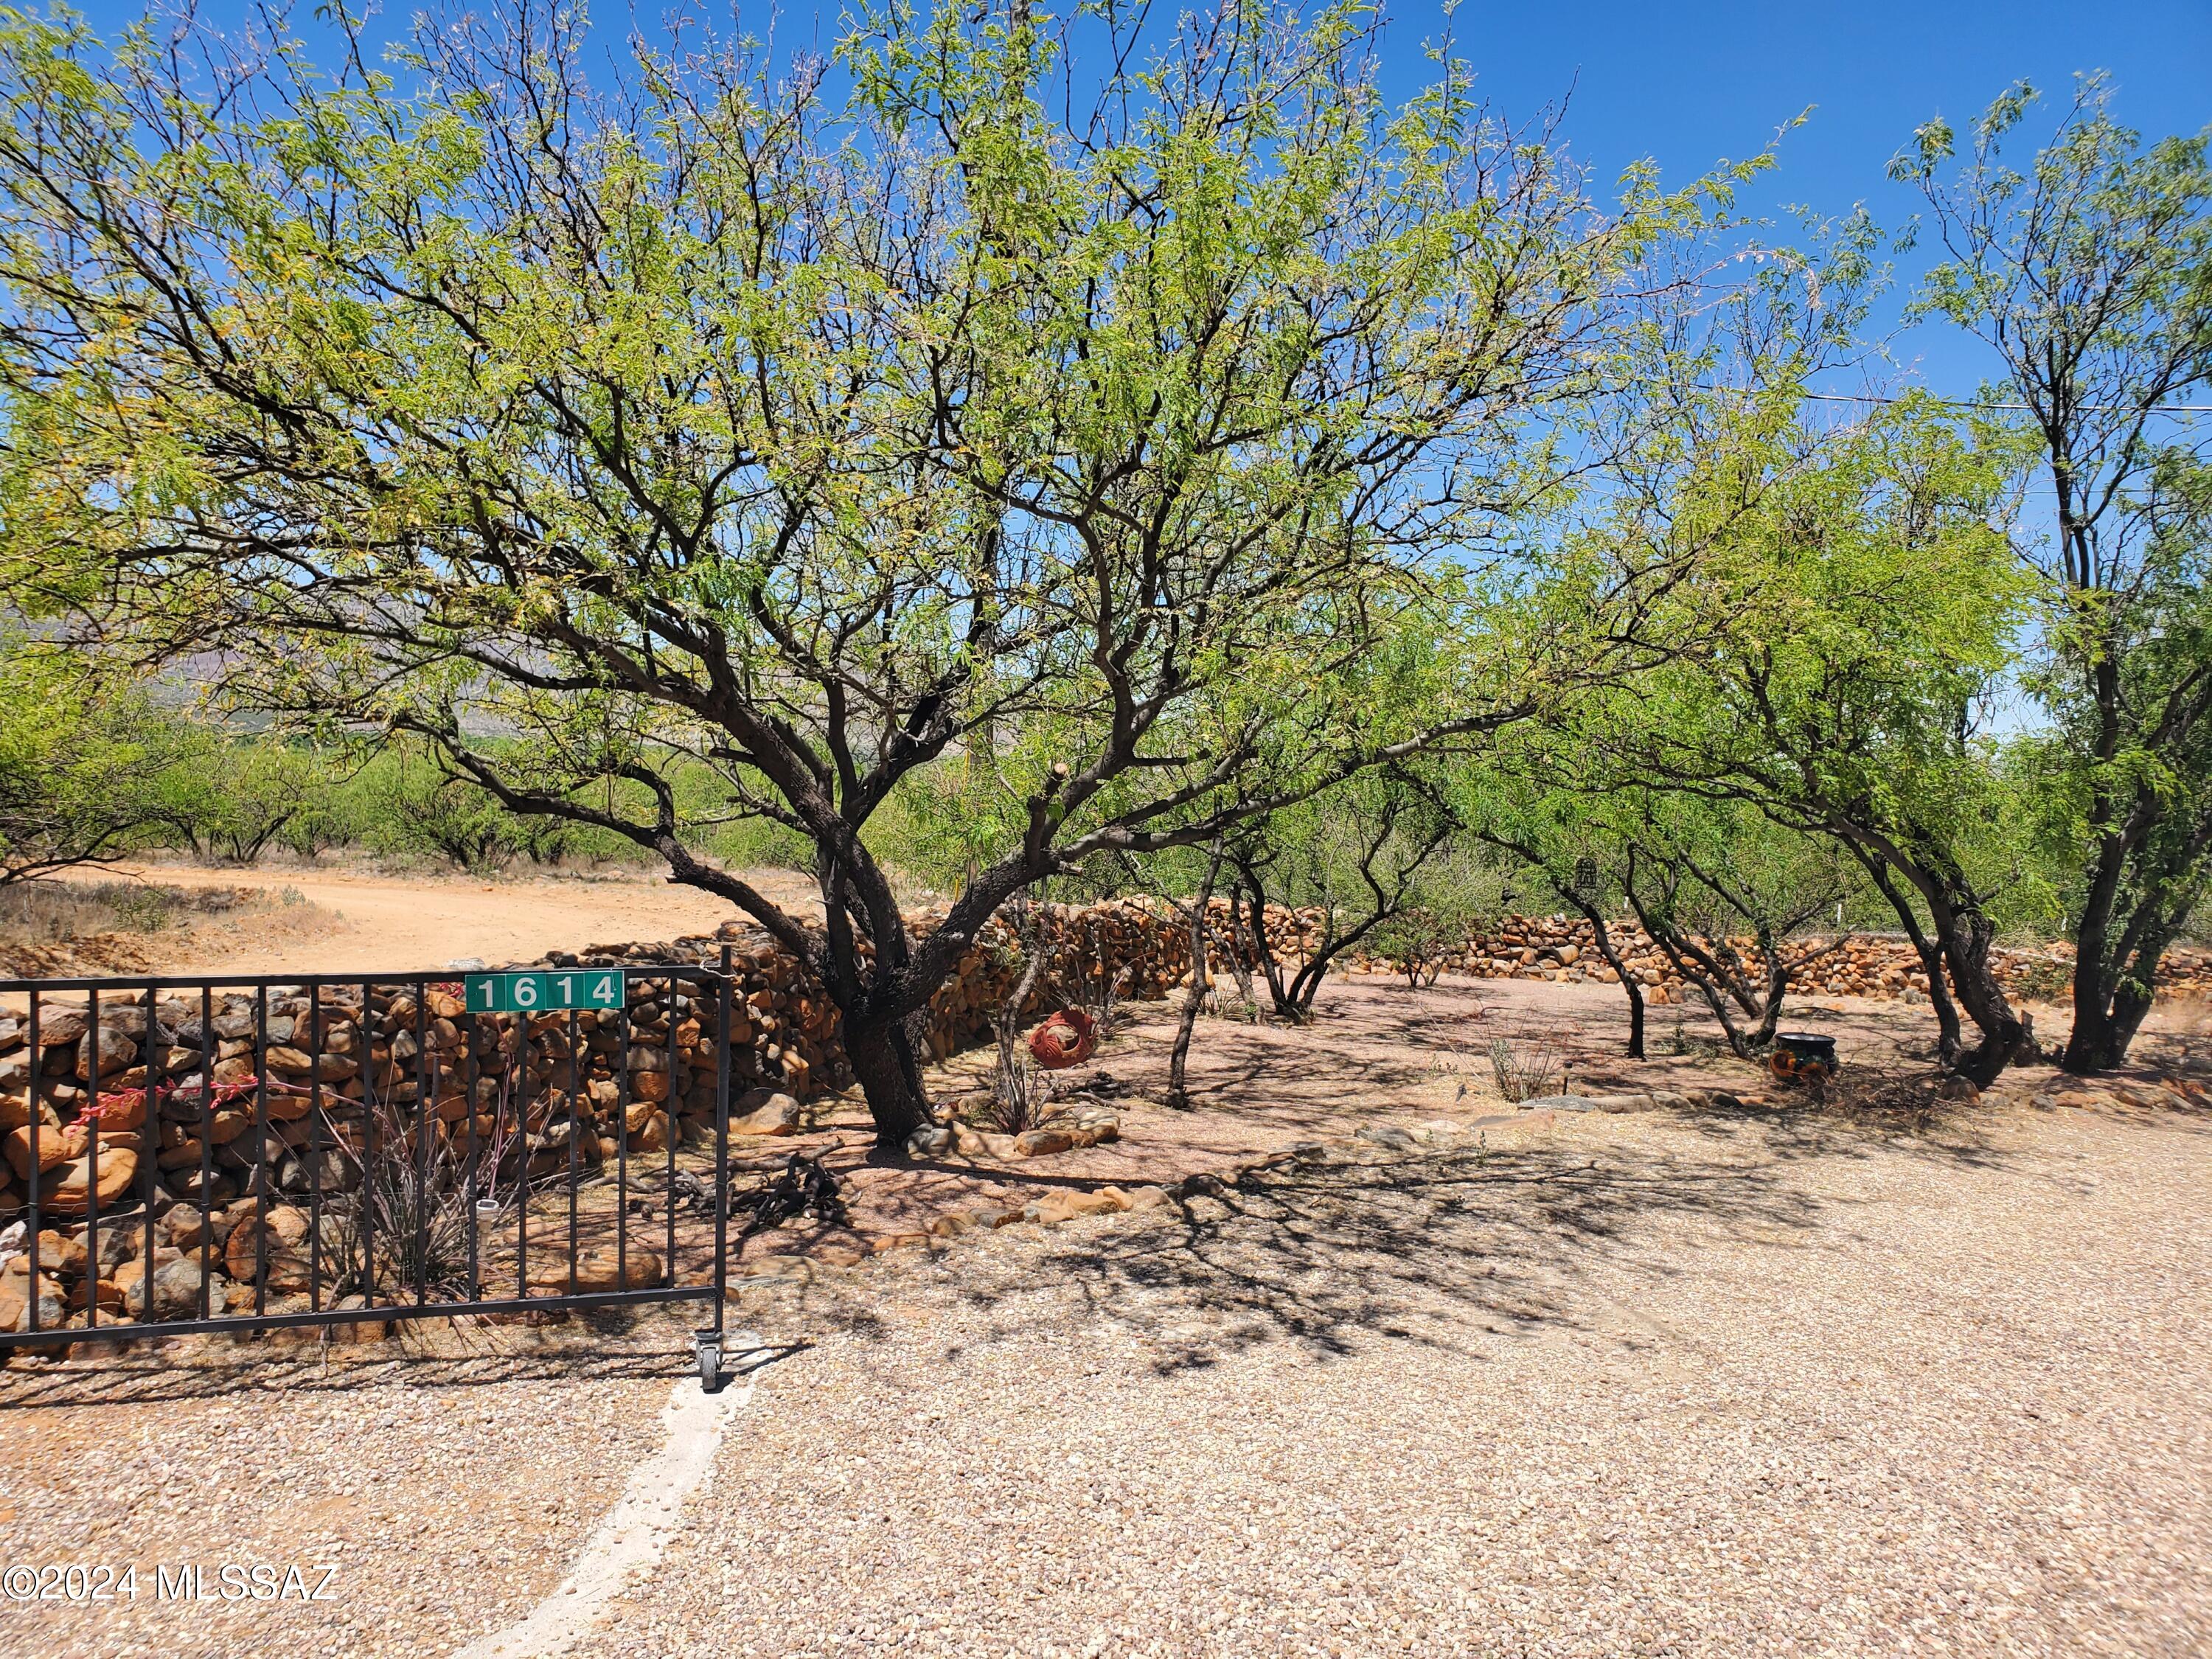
[{"x": 1426, "y": 1251}]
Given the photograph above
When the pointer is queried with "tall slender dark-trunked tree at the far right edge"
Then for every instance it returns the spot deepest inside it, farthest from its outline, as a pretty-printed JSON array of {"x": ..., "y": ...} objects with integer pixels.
[{"x": 2091, "y": 275}]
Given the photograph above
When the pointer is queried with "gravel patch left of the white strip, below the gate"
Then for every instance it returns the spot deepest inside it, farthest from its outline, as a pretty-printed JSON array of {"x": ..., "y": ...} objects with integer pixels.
[{"x": 444, "y": 1492}]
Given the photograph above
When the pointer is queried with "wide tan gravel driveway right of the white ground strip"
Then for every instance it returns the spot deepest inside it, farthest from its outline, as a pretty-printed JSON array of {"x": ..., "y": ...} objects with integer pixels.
[{"x": 1629, "y": 1386}]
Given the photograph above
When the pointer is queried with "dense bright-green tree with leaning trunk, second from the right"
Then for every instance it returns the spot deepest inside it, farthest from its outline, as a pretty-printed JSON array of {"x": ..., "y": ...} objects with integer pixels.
[{"x": 1872, "y": 598}]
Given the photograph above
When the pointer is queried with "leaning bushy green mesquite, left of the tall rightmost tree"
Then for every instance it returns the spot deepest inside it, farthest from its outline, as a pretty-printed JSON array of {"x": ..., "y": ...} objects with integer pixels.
[{"x": 1841, "y": 614}]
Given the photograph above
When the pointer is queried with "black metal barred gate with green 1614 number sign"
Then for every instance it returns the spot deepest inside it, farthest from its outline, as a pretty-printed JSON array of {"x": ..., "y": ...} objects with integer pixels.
[{"x": 249, "y": 1154}]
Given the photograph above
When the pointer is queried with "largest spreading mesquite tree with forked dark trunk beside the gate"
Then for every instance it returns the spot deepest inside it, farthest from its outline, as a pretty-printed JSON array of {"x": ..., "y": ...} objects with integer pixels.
[{"x": 813, "y": 430}]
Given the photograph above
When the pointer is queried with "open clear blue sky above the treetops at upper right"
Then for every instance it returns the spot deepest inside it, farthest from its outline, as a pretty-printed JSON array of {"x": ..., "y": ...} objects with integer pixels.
[{"x": 1689, "y": 85}]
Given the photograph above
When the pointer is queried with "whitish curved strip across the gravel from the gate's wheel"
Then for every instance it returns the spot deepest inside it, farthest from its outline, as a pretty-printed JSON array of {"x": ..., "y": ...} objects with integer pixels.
[{"x": 638, "y": 1527}]
